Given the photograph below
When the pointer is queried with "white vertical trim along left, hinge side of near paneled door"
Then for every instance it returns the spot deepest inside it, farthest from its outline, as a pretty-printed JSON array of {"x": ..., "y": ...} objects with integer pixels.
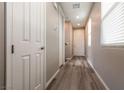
[{"x": 8, "y": 46}]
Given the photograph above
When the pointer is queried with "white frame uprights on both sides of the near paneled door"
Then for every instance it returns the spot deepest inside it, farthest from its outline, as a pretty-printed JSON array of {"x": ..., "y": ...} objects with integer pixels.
[{"x": 9, "y": 42}]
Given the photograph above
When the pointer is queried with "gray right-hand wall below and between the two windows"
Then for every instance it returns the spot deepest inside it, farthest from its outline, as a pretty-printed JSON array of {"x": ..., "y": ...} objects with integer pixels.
[{"x": 108, "y": 61}]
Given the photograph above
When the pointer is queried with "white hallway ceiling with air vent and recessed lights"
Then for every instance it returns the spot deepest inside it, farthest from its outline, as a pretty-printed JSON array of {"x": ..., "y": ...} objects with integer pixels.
[{"x": 77, "y": 12}]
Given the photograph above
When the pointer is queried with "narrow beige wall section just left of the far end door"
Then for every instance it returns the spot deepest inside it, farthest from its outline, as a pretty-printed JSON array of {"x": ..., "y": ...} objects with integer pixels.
[{"x": 68, "y": 39}]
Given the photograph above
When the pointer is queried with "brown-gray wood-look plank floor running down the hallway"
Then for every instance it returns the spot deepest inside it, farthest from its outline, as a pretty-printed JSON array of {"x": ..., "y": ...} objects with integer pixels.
[{"x": 76, "y": 75}]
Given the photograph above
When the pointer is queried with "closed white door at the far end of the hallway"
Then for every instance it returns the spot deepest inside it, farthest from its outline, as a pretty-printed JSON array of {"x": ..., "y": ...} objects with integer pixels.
[{"x": 78, "y": 43}]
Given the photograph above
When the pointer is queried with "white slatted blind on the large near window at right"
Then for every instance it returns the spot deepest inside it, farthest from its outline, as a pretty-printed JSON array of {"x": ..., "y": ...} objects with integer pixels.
[{"x": 113, "y": 26}]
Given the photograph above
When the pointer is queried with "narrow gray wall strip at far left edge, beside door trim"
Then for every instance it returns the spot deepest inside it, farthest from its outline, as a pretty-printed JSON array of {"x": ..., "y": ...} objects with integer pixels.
[{"x": 2, "y": 45}]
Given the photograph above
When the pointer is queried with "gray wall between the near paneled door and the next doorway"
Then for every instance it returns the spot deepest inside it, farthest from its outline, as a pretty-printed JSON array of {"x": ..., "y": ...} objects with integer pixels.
[{"x": 52, "y": 41}]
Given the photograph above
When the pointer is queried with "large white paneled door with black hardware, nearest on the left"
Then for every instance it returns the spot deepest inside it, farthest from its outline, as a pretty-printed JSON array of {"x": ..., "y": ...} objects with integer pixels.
[{"x": 27, "y": 37}]
